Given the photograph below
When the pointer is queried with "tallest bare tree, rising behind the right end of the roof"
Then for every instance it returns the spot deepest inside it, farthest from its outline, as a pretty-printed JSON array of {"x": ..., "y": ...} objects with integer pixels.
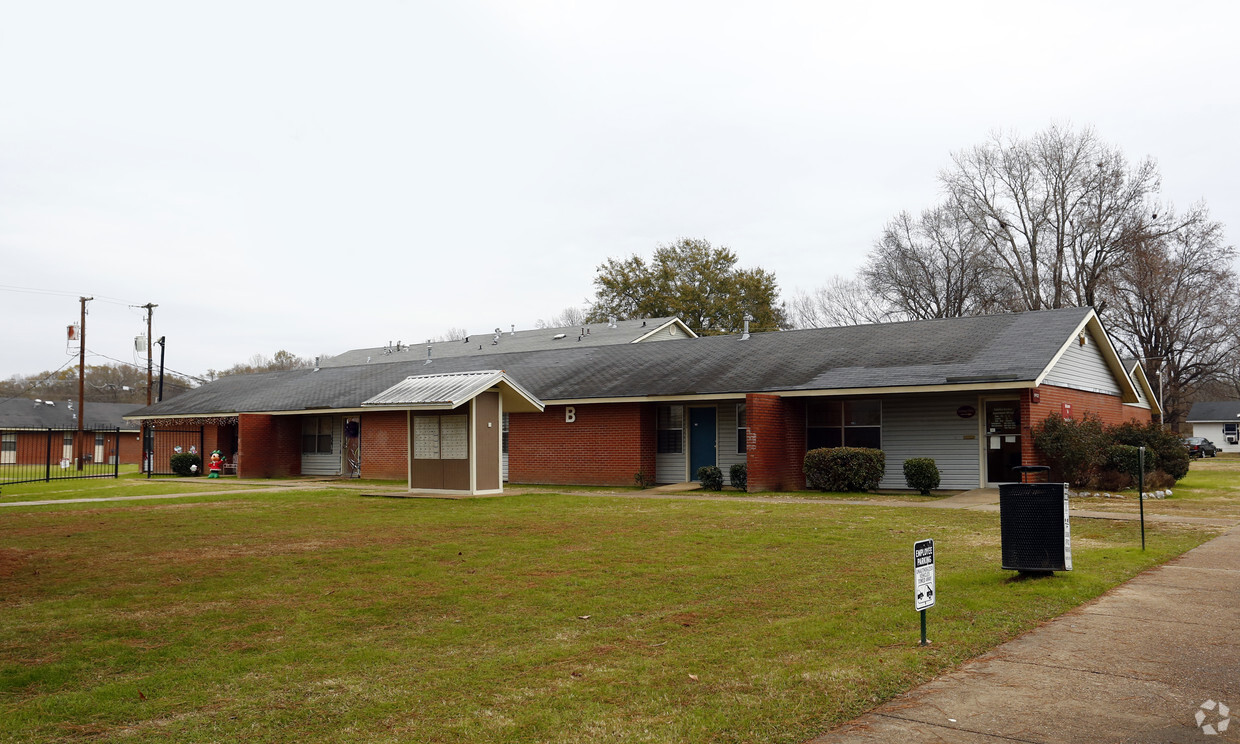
[{"x": 1058, "y": 211}]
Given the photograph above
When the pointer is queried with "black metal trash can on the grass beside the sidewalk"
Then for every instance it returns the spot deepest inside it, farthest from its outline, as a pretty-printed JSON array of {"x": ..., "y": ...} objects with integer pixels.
[{"x": 1035, "y": 526}]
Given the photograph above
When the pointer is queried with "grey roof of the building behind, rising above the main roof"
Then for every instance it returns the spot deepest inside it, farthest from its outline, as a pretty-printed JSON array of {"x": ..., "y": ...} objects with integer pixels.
[{"x": 482, "y": 345}]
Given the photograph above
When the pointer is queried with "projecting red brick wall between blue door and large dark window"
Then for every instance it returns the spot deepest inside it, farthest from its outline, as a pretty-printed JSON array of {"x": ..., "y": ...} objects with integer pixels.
[{"x": 776, "y": 443}]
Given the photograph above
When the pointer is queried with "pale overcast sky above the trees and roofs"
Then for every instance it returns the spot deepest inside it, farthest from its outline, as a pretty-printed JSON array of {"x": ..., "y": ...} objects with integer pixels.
[{"x": 323, "y": 177}]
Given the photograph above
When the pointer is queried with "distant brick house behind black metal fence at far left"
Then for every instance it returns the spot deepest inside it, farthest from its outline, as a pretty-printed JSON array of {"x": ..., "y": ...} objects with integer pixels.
[{"x": 25, "y": 425}]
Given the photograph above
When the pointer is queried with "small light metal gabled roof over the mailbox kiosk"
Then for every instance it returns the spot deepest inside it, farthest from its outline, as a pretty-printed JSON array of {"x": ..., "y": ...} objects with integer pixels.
[{"x": 445, "y": 392}]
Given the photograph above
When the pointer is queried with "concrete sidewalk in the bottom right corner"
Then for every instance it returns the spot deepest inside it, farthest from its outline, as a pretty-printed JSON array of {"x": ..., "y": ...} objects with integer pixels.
[{"x": 1135, "y": 665}]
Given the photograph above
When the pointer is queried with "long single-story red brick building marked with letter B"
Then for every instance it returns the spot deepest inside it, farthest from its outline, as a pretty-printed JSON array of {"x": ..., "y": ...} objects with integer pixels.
[{"x": 963, "y": 391}]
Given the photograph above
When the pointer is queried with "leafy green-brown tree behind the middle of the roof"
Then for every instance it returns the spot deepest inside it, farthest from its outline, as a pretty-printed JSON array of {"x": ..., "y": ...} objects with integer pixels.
[{"x": 694, "y": 281}]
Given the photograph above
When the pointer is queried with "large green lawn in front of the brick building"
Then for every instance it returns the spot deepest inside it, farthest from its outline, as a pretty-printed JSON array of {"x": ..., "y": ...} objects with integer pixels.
[{"x": 327, "y": 617}]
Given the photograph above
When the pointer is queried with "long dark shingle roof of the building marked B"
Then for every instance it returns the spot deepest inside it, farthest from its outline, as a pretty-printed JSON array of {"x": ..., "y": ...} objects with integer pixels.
[{"x": 927, "y": 353}]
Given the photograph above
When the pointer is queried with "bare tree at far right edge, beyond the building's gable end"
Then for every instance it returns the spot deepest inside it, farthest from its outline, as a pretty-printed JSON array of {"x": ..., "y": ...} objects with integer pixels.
[{"x": 1176, "y": 306}]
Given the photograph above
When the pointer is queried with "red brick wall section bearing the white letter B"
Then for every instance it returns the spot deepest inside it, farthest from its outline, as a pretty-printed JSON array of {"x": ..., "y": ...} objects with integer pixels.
[{"x": 607, "y": 446}]
